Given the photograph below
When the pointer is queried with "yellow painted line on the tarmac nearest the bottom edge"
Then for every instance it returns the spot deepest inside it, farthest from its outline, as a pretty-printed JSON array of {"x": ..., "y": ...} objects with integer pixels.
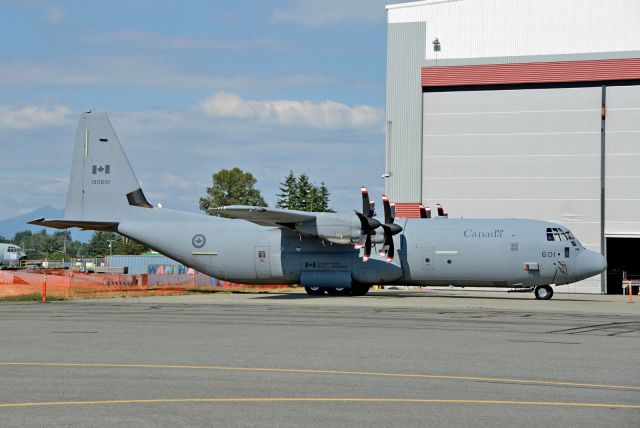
[{"x": 321, "y": 399}]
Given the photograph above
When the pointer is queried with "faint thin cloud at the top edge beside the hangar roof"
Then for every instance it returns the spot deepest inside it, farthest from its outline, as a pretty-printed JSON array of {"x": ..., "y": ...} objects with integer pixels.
[{"x": 313, "y": 13}]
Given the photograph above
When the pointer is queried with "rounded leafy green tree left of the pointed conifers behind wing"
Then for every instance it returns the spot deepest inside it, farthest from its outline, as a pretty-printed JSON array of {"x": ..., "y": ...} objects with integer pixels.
[{"x": 231, "y": 187}]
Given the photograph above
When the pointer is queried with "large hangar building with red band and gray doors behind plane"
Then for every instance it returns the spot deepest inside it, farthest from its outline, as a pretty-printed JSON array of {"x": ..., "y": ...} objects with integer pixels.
[{"x": 528, "y": 108}]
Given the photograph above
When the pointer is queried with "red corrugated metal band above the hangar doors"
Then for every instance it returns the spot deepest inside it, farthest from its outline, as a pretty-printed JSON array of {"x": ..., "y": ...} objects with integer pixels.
[{"x": 536, "y": 72}]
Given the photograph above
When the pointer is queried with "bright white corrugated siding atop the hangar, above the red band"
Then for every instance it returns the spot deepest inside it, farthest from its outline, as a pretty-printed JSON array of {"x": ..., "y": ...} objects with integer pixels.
[{"x": 507, "y": 28}]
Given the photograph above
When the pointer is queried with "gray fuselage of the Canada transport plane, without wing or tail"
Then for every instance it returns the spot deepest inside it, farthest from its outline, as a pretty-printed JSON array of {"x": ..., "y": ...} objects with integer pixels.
[{"x": 439, "y": 251}]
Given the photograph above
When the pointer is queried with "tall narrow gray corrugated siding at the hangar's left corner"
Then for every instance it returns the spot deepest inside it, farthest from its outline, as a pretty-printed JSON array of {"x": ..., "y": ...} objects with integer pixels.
[{"x": 404, "y": 119}]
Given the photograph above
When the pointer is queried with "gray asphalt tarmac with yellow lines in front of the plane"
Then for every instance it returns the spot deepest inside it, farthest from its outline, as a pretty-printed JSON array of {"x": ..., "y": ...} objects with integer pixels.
[{"x": 392, "y": 358}]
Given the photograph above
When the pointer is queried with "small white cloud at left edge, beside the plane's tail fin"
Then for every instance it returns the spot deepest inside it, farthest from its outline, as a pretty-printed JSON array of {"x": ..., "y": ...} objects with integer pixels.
[{"x": 34, "y": 116}]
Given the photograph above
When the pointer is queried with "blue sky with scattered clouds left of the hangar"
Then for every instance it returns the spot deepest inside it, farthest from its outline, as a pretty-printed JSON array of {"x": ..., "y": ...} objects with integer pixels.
[{"x": 193, "y": 87}]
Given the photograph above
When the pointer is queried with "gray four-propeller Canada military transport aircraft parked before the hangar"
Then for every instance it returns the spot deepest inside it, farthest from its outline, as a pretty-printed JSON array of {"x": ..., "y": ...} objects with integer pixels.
[{"x": 324, "y": 252}]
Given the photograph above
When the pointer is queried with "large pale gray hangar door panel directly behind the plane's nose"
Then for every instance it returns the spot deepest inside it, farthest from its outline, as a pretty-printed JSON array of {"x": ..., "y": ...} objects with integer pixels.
[{"x": 526, "y": 153}]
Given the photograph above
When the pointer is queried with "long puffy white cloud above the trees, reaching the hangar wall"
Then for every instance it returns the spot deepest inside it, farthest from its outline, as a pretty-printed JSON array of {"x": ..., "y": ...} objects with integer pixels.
[{"x": 326, "y": 114}]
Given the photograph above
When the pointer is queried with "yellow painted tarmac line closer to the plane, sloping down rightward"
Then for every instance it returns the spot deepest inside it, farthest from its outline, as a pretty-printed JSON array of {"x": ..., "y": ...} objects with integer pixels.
[{"x": 328, "y": 372}]
